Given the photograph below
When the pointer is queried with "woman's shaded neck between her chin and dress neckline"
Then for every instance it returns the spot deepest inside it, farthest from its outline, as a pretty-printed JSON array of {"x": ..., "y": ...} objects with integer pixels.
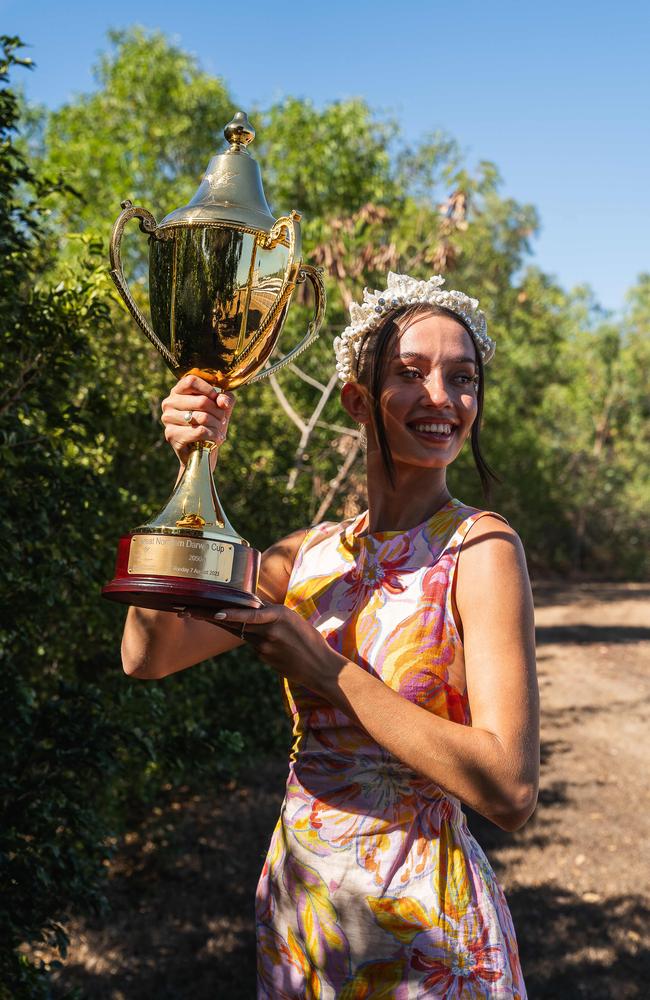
[{"x": 416, "y": 496}]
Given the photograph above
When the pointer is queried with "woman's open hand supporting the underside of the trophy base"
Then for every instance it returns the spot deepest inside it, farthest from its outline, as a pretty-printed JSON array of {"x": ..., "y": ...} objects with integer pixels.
[{"x": 284, "y": 640}]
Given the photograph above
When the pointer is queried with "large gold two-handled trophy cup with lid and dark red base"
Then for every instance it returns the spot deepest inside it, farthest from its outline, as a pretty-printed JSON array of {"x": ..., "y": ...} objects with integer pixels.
[{"x": 222, "y": 271}]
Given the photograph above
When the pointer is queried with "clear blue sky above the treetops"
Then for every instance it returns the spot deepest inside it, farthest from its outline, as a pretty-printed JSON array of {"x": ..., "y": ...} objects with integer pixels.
[{"x": 555, "y": 94}]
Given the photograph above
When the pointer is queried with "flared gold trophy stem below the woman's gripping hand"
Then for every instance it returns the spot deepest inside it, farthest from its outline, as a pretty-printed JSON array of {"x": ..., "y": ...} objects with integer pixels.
[{"x": 194, "y": 505}]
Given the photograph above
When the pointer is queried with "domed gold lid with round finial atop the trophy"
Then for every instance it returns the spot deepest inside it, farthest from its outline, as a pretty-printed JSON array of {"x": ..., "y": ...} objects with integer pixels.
[{"x": 231, "y": 189}]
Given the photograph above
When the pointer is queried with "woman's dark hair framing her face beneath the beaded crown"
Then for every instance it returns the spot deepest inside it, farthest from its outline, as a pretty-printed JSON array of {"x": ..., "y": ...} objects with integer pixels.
[{"x": 371, "y": 370}]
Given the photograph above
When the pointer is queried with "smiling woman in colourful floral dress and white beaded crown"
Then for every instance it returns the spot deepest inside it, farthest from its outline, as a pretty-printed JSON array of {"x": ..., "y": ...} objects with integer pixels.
[{"x": 405, "y": 637}]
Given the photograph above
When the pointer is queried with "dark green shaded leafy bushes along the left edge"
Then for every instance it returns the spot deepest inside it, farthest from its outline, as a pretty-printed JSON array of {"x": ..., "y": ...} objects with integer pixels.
[{"x": 80, "y": 746}]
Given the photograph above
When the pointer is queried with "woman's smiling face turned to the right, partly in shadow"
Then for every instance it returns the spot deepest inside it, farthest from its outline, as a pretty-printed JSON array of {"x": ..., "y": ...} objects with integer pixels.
[{"x": 428, "y": 398}]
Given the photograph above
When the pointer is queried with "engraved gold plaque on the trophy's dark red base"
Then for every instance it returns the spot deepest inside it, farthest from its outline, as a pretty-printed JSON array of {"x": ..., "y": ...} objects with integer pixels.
[{"x": 193, "y": 558}]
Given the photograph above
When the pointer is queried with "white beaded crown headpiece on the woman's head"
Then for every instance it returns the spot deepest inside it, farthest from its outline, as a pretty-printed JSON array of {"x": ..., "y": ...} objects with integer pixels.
[{"x": 402, "y": 290}]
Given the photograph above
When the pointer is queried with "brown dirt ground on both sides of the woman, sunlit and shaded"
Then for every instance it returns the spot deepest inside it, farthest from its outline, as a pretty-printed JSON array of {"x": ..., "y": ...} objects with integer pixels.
[{"x": 182, "y": 887}]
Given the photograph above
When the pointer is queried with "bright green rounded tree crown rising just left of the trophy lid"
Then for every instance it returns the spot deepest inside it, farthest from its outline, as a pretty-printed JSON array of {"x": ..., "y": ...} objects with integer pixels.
[{"x": 164, "y": 117}]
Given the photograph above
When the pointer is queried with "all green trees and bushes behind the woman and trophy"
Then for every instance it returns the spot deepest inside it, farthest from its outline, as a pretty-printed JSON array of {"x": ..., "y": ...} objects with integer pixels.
[{"x": 83, "y": 459}]
